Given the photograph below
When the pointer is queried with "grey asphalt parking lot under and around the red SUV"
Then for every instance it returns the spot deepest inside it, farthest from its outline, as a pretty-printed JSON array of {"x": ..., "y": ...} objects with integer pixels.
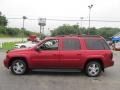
[{"x": 109, "y": 80}]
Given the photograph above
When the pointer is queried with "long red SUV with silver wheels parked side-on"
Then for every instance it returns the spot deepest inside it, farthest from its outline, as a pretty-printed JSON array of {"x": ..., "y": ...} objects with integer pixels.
[{"x": 88, "y": 53}]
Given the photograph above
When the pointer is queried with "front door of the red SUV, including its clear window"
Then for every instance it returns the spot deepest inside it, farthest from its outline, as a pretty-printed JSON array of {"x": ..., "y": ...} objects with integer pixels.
[{"x": 48, "y": 56}]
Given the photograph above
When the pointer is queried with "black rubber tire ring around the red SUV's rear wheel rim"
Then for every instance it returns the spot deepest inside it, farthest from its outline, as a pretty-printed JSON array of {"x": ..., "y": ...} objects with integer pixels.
[{"x": 93, "y": 62}]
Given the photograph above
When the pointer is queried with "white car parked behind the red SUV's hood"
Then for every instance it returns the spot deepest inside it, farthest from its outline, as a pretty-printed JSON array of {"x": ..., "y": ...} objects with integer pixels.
[{"x": 28, "y": 44}]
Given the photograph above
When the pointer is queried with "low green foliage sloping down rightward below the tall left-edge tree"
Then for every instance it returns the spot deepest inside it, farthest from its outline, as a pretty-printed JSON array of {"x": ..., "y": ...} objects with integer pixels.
[{"x": 14, "y": 32}]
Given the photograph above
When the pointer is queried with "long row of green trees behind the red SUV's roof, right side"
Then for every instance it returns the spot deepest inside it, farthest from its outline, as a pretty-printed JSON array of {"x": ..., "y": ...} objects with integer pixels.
[{"x": 106, "y": 32}]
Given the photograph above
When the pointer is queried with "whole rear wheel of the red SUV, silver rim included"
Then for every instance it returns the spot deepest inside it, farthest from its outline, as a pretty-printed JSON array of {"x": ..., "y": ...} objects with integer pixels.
[{"x": 93, "y": 69}]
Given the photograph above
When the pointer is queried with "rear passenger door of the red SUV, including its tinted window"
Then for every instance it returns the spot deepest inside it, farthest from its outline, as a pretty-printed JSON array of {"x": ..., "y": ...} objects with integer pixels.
[{"x": 70, "y": 53}]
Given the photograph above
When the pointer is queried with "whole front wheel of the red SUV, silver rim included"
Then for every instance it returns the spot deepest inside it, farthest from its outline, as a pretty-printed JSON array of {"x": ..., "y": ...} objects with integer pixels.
[{"x": 18, "y": 67}]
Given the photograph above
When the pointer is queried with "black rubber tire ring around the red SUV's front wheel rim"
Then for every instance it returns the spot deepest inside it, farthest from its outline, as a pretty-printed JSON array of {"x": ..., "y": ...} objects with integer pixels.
[{"x": 15, "y": 61}]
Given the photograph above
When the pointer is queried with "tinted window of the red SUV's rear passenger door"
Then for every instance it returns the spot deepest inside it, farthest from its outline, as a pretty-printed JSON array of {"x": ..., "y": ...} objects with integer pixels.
[{"x": 71, "y": 44}]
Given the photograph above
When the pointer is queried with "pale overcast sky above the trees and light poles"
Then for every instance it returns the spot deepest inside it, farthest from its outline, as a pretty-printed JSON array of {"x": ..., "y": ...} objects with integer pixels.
[{"x": 60, "y": 9}]
